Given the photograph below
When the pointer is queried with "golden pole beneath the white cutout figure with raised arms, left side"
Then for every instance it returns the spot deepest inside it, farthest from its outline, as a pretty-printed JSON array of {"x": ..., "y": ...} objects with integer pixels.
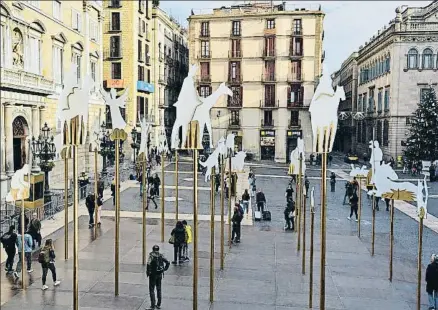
[{"x": 117, "y": 222}]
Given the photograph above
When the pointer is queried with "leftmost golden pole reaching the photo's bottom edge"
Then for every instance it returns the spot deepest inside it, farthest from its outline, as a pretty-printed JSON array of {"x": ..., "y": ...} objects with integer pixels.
[{"x": 75, "y": 228}]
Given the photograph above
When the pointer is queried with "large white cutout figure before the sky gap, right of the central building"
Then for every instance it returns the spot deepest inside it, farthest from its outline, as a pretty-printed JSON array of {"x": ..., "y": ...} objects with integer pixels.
[{"x": 324, "y": 114}]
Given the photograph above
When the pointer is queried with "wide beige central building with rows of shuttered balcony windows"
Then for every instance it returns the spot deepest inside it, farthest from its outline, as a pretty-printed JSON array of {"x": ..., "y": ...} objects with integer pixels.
[{"x": 270, "y": 58}]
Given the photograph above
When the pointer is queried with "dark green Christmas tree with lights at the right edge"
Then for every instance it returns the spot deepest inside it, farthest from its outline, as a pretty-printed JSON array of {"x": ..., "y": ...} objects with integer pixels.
[{"x": 422, "y": 143}]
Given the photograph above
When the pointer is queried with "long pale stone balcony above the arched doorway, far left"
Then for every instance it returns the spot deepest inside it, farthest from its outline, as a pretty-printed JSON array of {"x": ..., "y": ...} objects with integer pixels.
[{"x": 26, "y": 81}]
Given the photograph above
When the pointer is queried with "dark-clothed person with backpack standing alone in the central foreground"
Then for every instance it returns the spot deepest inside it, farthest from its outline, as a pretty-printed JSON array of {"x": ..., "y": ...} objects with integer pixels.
[{"x": 156, "y": 266}]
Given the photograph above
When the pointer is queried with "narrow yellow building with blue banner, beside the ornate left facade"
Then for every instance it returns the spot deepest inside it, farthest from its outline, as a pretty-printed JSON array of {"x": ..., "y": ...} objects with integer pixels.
[{"x": 127, "y": 62}]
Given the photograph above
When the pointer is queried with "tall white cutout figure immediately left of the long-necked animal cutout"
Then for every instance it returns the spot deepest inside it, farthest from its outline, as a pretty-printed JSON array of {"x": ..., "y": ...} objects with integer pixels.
[{"x": 188, "y": 101}]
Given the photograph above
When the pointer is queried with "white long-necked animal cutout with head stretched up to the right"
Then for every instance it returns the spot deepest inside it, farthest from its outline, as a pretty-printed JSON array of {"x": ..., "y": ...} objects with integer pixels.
[{"x": 202, "y": 113}]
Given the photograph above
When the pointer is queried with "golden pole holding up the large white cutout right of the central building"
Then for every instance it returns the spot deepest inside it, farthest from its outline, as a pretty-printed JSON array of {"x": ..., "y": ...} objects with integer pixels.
[{"x": 323, "y": 230}]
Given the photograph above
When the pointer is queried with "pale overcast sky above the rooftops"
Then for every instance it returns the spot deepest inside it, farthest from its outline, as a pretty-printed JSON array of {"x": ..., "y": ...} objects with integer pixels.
[{"x": 347, "y": 24}]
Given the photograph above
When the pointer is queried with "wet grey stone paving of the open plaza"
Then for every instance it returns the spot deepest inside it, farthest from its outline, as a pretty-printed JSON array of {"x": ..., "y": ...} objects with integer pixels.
[{"x": 263, "y": 272}]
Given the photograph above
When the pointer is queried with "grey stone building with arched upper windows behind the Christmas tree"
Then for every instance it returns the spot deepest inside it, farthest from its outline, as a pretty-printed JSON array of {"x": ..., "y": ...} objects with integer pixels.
[{"x": 395, "y": 67}]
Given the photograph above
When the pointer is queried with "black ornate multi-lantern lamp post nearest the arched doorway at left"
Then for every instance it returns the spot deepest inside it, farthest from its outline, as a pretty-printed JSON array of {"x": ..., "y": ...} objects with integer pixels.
[{"x": 44, "y": 149}]
